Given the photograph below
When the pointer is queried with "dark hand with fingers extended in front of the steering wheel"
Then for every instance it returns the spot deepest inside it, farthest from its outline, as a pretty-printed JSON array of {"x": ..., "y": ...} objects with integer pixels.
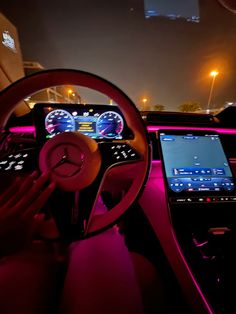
[{"x": 18, "y": 205}]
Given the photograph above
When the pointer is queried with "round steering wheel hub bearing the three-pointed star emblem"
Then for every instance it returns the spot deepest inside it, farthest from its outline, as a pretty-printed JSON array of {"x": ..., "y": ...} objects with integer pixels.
[{"x": 73, "y": 160}]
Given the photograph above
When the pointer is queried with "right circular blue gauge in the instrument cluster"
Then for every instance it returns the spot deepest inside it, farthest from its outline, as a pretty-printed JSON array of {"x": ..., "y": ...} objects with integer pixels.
[{"x": 110, "y": 124}]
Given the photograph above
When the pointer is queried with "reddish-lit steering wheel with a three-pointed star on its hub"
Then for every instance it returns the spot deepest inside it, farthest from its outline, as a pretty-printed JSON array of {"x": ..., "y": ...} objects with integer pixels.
[{"x": 77, "y": 162}]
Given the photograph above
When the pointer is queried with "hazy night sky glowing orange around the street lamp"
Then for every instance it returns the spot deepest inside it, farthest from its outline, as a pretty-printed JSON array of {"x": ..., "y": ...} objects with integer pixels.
[{"x": 166, "y": 61}]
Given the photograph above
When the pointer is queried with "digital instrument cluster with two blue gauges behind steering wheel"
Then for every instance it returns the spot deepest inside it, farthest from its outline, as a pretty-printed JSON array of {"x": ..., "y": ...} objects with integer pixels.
[{"x": 95, "y": 121}]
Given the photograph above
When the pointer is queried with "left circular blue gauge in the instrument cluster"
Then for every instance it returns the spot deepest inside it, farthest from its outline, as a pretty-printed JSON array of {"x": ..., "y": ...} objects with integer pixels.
[{"x": 58, "y": 121}]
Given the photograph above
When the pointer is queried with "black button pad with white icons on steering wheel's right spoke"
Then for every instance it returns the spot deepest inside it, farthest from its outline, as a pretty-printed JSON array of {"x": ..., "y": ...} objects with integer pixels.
[{"x": 117, "y": 152}]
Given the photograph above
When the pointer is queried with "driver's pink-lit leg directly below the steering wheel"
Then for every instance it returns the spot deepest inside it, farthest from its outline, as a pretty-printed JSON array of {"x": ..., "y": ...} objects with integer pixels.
[{"x": 101, "y": 277}]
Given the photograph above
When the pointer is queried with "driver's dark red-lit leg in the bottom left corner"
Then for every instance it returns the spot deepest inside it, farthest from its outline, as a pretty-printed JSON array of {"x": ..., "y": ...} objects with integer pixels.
[{"x": 27, "y": 280}]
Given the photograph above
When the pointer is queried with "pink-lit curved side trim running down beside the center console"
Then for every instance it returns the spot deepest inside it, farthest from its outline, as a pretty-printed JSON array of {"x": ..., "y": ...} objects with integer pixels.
[{"x": 167, "y": 236}]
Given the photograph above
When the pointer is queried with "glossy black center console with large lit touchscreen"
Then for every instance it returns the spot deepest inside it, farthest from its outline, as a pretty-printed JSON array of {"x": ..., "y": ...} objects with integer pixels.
[{"x": 201, "y": 195}]
